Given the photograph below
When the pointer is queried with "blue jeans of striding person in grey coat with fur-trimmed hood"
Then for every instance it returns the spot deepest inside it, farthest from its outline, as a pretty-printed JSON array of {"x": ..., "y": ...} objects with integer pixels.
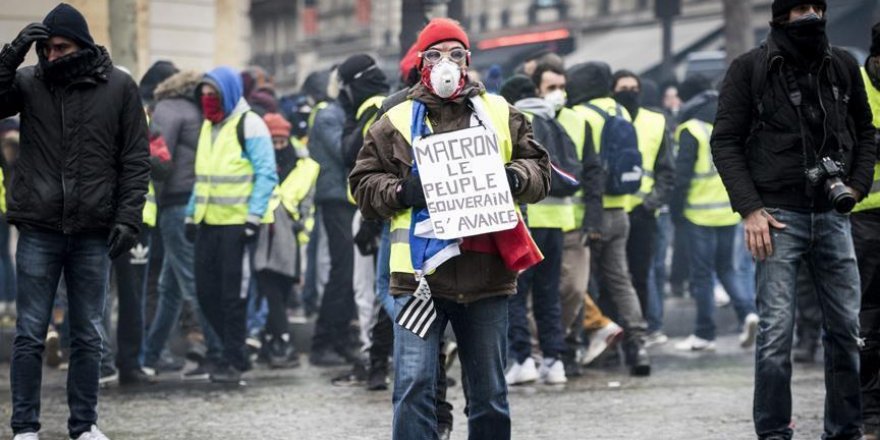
[{"x": 177, "y": 282}]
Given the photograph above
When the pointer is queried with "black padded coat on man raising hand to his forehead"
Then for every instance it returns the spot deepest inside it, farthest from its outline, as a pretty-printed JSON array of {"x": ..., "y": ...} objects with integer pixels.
[{"x": 84, "y": 162}]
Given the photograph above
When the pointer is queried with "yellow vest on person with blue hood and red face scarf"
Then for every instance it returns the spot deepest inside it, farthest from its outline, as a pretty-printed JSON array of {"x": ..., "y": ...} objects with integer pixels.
[{"x": 224, "y": 177}]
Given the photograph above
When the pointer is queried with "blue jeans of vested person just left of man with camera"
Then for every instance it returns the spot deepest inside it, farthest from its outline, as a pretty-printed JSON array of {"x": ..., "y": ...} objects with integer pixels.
[{"x": 713, "y": 254}]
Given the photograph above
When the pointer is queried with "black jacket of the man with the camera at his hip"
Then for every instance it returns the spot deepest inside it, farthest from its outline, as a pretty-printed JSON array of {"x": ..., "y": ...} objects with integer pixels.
[{"x": 757, "y": 145}]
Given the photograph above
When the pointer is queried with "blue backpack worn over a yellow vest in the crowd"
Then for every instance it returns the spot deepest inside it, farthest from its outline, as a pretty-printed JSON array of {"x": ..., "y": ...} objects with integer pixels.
[{"x": 619, "y": 153}]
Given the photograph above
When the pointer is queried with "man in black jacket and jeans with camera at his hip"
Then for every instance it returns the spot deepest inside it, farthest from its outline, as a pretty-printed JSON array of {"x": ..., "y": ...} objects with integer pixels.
[{"x": 782, "y": 108}]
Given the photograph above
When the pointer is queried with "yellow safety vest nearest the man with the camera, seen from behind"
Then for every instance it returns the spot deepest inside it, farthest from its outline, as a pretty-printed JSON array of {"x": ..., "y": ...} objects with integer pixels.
[{"x": 707, "y": 201}]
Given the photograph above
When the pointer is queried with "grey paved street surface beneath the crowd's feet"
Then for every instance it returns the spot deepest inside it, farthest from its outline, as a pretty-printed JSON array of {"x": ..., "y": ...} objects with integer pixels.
[{"x": 688, "y": 397}]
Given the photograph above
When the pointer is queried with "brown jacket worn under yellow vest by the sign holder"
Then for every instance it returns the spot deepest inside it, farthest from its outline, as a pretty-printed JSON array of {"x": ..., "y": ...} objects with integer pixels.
[{"x": 386, "y": 159}]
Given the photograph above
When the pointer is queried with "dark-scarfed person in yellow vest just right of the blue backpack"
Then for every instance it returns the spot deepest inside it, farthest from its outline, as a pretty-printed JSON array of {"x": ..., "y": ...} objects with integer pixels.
[{"x": 655, "y": 146}]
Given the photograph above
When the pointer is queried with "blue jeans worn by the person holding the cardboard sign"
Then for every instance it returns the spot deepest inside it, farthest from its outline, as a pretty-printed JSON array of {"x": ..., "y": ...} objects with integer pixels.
[{"x": 481, "y": 331}]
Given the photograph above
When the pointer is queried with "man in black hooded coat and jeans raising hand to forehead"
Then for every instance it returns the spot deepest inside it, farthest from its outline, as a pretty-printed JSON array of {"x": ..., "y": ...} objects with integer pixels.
[{"x": 79, "y": 190}]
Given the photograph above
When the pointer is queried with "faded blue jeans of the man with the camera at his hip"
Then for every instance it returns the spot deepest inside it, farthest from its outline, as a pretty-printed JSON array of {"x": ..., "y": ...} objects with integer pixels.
[{"x": 825, "y": 240}]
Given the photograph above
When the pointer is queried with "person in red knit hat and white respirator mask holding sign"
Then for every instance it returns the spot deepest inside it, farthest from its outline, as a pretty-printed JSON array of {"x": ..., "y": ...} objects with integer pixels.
[{"x": 473, "y": 301}]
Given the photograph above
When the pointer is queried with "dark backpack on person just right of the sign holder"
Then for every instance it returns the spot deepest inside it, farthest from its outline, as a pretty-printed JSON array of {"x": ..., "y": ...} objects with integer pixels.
[{"x": 563, "y": 156}]
